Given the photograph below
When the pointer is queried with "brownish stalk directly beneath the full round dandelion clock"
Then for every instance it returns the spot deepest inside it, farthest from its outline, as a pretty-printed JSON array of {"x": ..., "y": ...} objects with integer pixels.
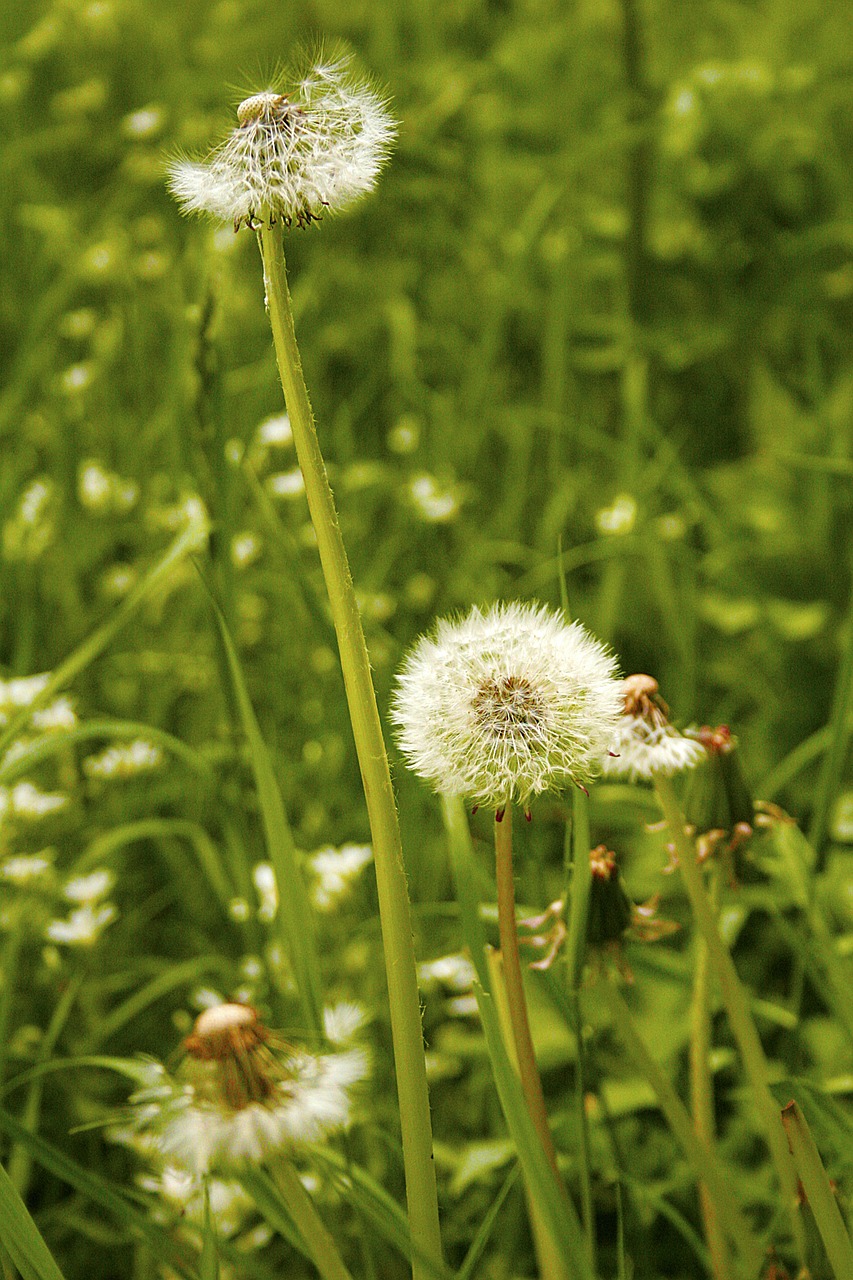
[{"x": 517, "y": 1003}]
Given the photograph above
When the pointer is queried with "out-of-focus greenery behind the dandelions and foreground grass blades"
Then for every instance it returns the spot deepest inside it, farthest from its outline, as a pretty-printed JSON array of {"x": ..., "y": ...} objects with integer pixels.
[{"x": 601, "y": 303}]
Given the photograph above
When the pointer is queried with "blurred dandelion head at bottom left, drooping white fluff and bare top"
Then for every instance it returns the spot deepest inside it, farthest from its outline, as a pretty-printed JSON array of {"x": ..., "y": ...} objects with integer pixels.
[{"x": 243, "y": 1094}]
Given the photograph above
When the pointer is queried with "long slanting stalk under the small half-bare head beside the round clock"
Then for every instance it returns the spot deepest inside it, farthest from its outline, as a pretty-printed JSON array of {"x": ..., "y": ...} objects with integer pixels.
[{"x": 737, "y": 1009}]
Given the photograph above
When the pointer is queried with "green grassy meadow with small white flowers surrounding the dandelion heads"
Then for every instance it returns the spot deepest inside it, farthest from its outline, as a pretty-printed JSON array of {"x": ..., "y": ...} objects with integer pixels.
[{"x": 589, "y": 344}]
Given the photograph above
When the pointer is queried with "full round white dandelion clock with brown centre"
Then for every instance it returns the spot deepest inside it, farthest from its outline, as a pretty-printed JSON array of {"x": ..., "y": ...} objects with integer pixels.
[{"x": 505, "y": 705}]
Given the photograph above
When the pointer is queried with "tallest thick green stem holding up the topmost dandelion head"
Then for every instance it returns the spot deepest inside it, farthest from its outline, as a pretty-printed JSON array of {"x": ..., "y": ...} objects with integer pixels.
[{"x": 391, "y": 877}]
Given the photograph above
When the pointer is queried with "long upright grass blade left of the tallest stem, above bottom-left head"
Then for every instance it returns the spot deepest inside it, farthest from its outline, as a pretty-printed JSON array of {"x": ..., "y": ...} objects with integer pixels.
[{"x": 295, "y": 913}]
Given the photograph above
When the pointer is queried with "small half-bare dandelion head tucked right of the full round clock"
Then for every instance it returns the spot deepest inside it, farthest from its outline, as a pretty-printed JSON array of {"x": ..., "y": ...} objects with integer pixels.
[{"x": 646, "y": 744}]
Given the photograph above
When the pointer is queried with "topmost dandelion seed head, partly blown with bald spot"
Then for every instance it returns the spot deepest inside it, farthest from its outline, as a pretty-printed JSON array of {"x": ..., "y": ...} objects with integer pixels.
[{"x": 293, "y": 157}]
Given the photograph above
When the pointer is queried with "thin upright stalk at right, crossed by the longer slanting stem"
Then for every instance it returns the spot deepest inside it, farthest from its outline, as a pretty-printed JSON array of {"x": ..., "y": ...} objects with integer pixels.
[{"x": 703, "y": 1096}]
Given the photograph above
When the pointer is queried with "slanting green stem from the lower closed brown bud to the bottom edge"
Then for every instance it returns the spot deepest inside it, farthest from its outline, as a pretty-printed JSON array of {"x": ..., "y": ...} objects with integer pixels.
[{"x": 700, "y": 1156}]
